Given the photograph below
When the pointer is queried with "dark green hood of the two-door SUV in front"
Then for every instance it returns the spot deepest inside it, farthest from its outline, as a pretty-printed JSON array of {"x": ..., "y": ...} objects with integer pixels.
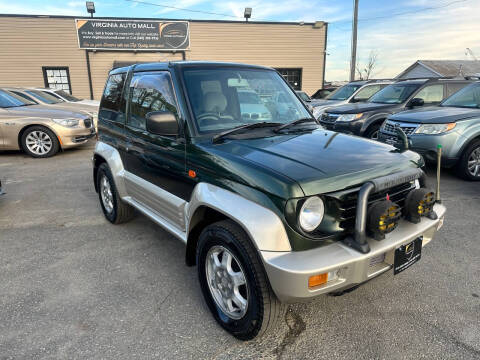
[{"x": 321, "y": 161}]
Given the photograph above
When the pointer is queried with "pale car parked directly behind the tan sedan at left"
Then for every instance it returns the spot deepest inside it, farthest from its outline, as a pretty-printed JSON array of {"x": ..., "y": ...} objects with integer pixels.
[{"x": 44, "y": 98}]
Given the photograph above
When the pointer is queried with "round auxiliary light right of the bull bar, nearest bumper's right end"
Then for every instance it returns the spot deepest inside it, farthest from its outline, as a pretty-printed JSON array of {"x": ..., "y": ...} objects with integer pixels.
[{"x": 419, "y": 202}]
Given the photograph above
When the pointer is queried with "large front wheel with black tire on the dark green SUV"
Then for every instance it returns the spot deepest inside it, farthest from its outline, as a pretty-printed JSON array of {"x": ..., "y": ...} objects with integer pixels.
[{"x": 263, "y": 310}]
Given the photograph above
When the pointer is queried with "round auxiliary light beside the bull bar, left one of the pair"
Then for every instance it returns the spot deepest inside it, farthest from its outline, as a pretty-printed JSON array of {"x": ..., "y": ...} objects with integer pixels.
[{"x": 383, "y": 217}]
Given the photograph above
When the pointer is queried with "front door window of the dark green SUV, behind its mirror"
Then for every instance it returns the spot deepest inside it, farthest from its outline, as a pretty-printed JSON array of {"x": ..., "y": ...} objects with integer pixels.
[{"x": 150, "y": 92}]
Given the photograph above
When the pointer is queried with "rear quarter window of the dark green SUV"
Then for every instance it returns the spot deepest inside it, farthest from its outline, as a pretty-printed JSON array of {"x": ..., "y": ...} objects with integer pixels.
[{"x": 112, "y": 106}]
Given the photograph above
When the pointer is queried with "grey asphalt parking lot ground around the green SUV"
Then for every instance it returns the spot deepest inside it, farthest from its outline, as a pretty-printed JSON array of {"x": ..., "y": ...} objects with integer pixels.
[{"x": 73, "y": 286}]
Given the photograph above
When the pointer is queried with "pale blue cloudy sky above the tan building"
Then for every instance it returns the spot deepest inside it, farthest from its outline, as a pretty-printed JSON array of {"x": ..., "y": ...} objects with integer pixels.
[{"x": 399, "y": 32}]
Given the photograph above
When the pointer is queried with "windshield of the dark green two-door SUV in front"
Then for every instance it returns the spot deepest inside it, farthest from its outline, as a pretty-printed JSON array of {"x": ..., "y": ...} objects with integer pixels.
[{"x": 225, "y": 98}]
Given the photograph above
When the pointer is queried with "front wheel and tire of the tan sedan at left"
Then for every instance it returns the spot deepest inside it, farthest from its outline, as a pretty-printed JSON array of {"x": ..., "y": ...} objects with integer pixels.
[{"x": 39, "y": 142}]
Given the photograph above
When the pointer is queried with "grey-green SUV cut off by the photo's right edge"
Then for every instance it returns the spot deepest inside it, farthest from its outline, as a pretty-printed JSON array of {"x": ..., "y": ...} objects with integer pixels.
[{"x": 454, "y": 124}]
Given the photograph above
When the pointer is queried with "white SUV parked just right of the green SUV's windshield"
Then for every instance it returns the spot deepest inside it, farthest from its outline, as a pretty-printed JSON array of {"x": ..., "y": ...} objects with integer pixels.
[{"x": 353, "y": 92}]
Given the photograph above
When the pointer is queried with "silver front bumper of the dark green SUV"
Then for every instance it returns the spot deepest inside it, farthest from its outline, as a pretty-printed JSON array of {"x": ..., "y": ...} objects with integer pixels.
[{"x": 289, "y": 272}]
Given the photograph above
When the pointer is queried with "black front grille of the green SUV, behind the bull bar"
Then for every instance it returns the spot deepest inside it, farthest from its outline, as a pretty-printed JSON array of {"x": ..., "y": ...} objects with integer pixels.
[{"x": 347, "y": 203}]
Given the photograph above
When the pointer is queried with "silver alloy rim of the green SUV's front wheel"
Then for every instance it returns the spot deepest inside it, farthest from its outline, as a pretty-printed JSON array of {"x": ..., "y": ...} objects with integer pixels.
[{"x": 226, "y": 281}]
